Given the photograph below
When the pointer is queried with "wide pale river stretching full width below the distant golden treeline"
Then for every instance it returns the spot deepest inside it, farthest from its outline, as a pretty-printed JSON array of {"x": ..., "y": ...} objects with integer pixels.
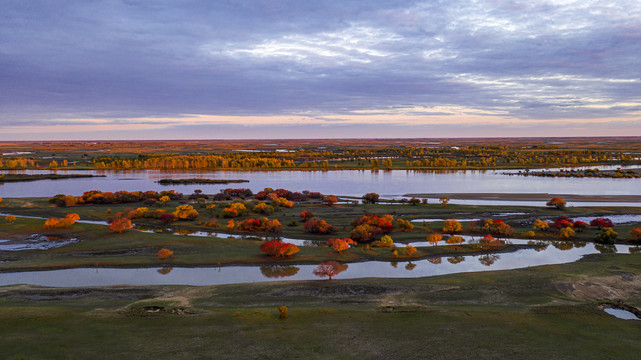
[{"x": 390, "y": 184}]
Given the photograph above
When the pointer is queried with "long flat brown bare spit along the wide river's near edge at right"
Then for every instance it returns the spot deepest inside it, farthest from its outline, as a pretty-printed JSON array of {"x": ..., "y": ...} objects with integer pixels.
[{"x": 528, "y": 196}]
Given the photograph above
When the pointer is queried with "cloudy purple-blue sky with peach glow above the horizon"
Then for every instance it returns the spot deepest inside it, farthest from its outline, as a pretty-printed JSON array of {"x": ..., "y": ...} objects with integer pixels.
[{"x": 245, "y": 69}]
